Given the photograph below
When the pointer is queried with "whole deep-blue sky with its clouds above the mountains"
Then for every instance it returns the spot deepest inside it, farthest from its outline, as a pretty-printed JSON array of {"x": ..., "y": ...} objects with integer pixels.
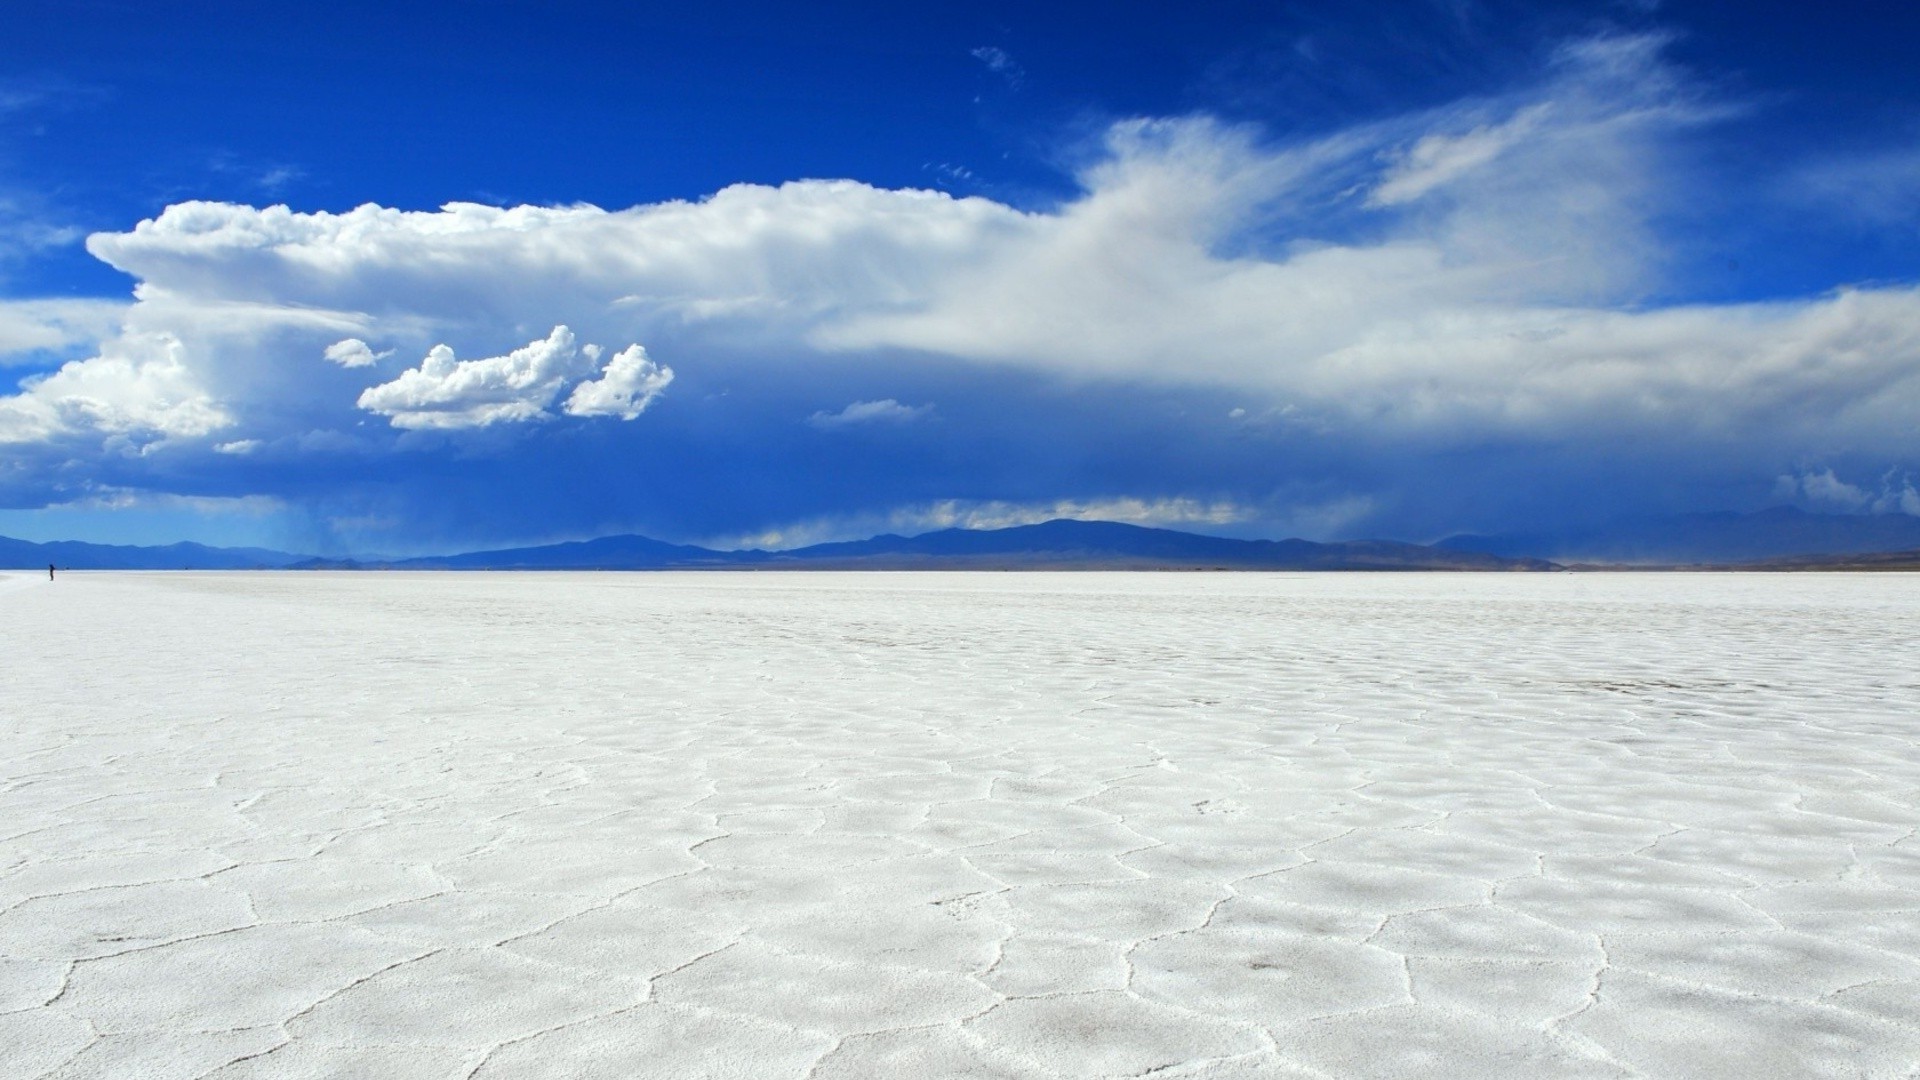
[{"x": 429, "y": 278}]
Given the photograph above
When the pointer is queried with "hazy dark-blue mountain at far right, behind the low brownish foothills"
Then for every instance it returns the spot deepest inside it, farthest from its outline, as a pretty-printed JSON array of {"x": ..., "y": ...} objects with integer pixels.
[{"x": 1721, "y": 539}]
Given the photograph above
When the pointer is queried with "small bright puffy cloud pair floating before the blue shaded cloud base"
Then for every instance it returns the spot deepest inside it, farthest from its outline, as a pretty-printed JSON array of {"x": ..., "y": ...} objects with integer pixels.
[{"x": 446, "y": 393}]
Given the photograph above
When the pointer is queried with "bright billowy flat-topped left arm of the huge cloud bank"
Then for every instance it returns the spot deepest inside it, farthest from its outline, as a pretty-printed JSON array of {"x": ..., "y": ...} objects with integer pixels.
[{"x": 773, "y": 257}]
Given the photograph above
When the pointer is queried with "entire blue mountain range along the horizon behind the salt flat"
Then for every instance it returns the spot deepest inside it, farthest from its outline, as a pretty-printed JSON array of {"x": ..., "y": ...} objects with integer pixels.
[{"x": 1773, "y": 539}]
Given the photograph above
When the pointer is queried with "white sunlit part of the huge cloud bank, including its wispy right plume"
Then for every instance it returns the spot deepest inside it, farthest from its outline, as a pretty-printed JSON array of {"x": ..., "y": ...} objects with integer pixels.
[{"x": 1497, "y": 287}]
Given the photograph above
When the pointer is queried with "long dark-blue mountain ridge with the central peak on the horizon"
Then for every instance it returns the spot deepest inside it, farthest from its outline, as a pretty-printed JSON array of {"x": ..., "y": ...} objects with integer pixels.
[{"x": 1055, "y": 545}]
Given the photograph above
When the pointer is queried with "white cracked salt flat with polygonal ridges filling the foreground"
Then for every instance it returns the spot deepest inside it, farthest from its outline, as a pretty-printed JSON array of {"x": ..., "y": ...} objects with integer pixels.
[{"x": 959, "y": 825}]
